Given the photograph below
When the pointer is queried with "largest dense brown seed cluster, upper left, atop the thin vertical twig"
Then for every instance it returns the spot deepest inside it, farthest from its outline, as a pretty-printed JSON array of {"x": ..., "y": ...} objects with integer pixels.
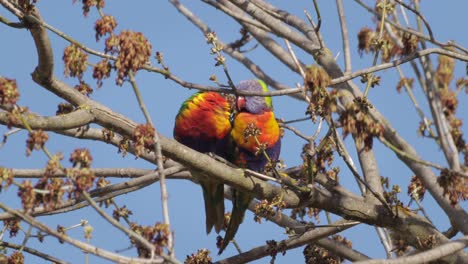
[{"x": 133, "y": 51}]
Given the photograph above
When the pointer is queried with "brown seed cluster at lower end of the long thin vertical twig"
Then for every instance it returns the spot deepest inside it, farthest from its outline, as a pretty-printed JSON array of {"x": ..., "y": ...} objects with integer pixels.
[{"x": 157, "y": 235}]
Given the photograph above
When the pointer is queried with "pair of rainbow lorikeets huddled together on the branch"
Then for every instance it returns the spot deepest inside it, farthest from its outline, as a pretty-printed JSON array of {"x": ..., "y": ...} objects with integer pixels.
[{"x": 206, "y": 123}]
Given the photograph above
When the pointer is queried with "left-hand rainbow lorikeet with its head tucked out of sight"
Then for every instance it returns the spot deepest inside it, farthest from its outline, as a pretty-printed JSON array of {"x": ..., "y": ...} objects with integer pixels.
[{"x": 203, "y": 124}]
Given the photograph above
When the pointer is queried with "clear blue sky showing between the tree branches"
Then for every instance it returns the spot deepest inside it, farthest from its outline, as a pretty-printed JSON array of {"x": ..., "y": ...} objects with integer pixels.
[{"x": 187, "y": 55}]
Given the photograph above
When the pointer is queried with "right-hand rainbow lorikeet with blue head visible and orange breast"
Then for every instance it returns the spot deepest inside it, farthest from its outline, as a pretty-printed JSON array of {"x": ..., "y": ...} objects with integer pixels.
[{"x": 253, "y": 112}]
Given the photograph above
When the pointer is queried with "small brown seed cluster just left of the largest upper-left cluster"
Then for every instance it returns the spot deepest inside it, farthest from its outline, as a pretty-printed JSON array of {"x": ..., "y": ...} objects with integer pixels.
[{"x": 75, "y": 61}]
